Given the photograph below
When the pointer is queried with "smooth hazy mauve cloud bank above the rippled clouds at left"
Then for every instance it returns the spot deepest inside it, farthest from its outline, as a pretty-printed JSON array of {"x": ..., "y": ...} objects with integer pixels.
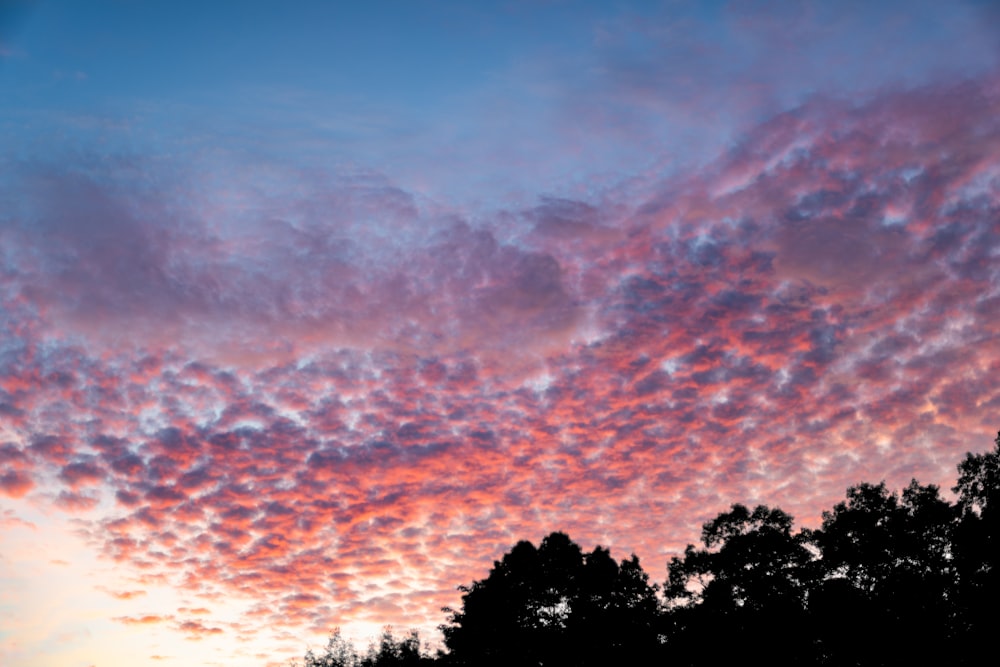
[{"x": 103, "y": 249}]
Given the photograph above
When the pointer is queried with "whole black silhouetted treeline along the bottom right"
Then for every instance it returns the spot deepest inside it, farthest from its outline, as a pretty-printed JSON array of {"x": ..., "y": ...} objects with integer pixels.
[{"x": 888, "y": 579}]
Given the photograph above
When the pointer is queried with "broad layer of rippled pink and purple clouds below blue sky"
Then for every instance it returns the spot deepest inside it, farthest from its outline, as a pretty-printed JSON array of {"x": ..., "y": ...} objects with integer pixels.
[{"x": 342, "y": 400}]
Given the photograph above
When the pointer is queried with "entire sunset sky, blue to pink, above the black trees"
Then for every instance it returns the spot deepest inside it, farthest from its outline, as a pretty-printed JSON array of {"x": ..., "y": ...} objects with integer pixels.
[{"x": 310, "y": 311}]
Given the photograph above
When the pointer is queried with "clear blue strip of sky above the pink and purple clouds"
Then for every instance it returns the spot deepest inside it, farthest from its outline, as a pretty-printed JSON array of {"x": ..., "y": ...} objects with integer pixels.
[{"x": 589, "y": 87}]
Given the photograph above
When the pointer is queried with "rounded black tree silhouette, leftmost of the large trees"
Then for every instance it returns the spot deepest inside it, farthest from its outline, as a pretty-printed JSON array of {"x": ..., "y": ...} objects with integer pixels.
[{"x": 553, "y": 605}]
